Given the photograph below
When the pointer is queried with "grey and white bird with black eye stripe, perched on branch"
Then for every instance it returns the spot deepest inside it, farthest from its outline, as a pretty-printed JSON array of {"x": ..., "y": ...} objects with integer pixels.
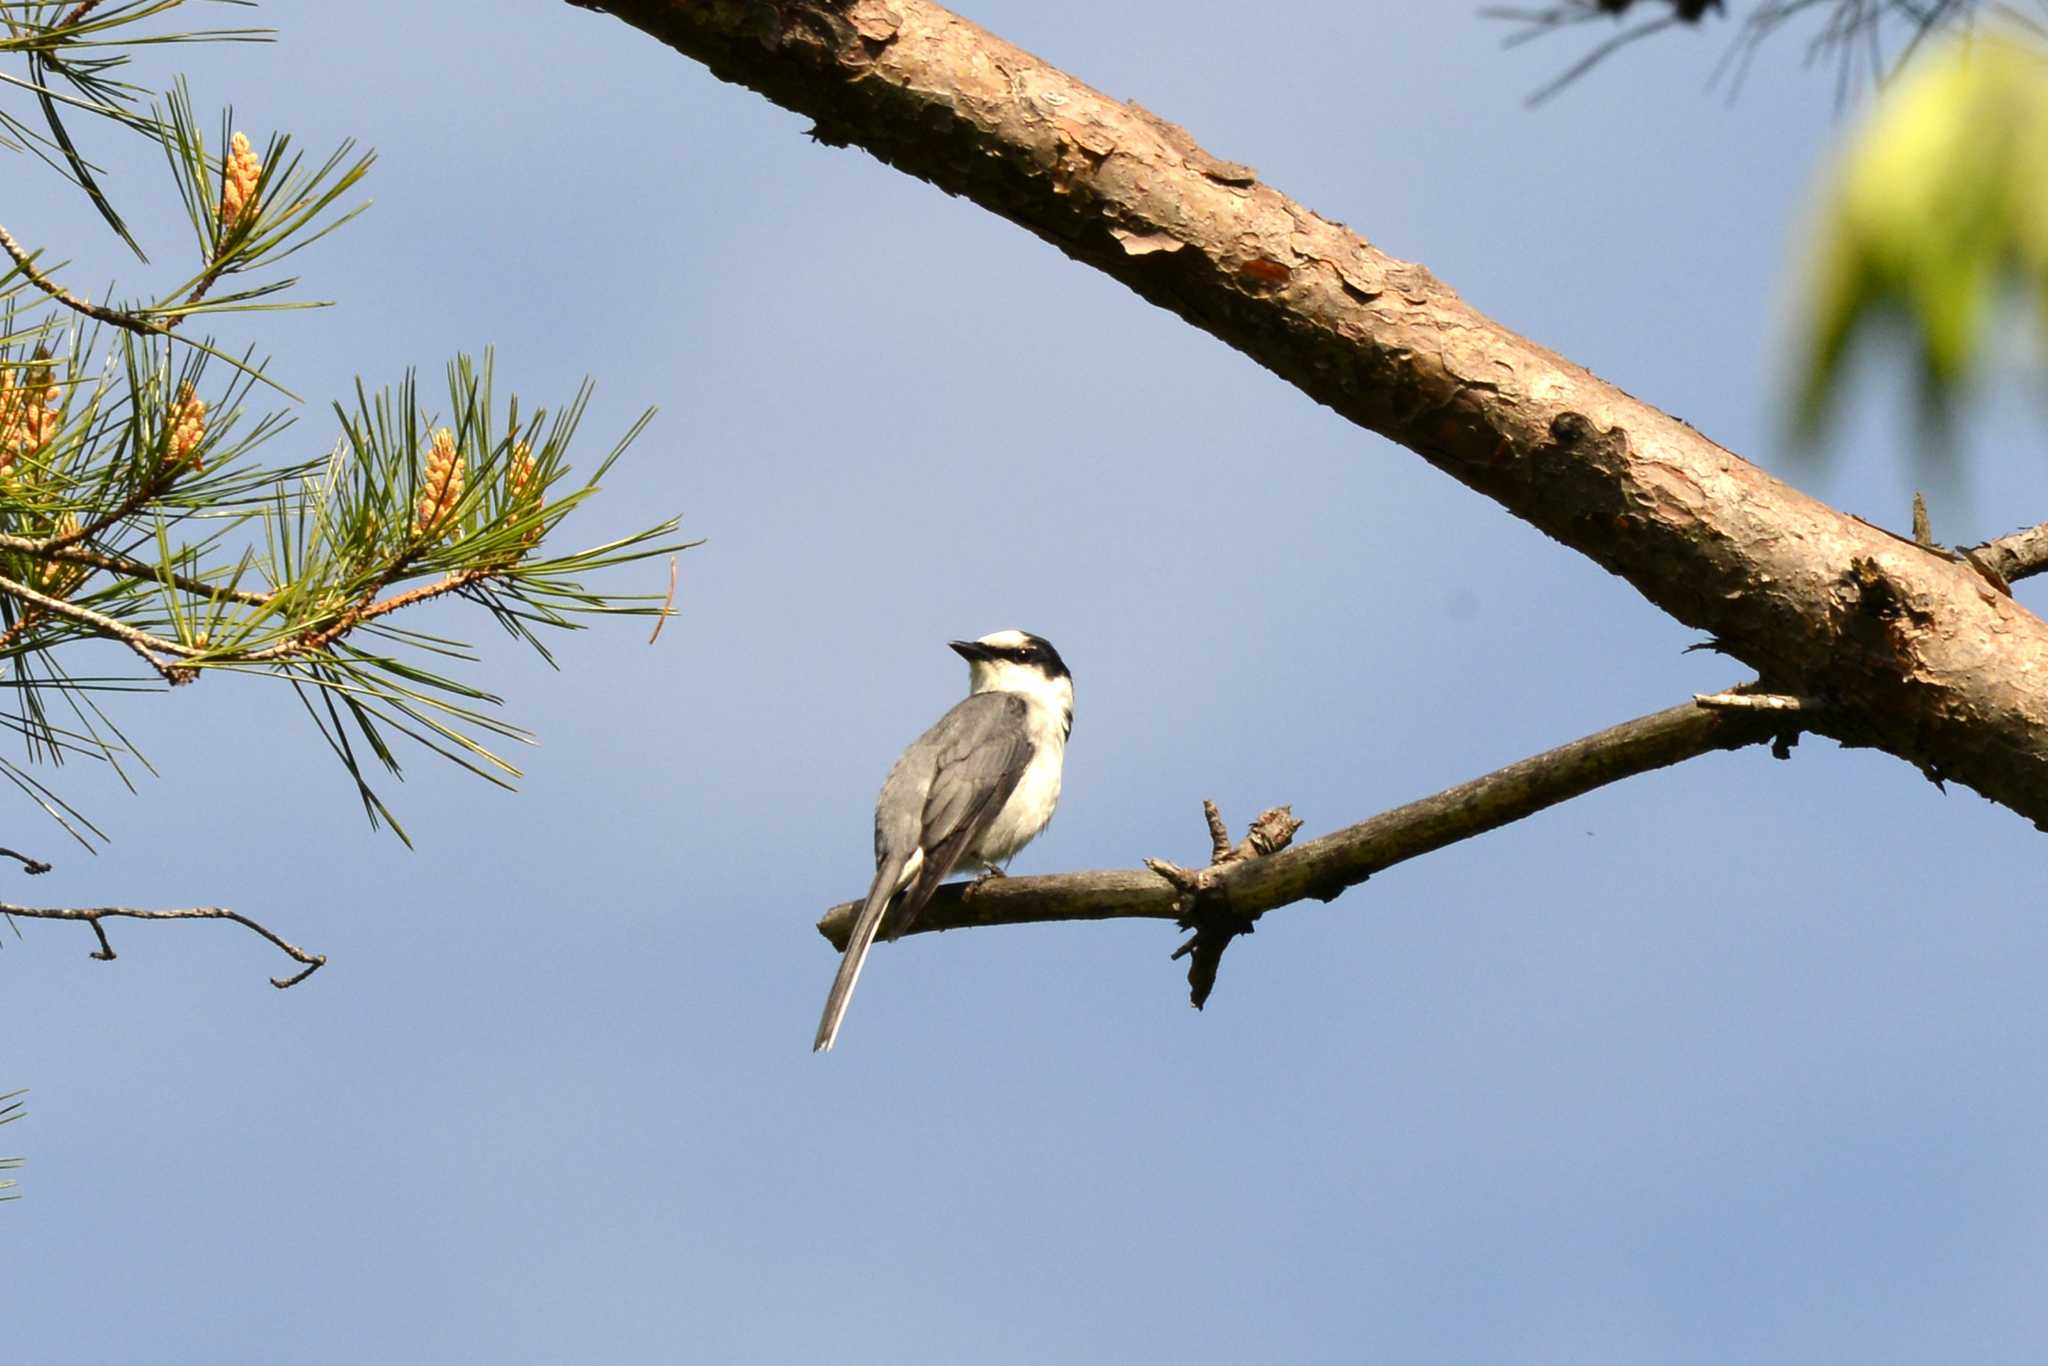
[{"x": 968, "y": 794}]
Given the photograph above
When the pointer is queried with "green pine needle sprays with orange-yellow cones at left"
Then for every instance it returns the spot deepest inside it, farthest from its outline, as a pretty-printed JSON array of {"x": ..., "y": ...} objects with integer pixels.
[{"x": 138, "y": 511}]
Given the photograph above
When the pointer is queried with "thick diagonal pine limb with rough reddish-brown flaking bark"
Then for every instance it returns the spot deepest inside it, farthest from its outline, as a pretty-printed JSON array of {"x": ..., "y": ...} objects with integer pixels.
[{"x": 1910, "y": 650}]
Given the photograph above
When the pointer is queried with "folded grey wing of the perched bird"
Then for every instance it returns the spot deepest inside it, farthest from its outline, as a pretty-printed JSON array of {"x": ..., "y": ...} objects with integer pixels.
[{"x": 976, "y": 757}]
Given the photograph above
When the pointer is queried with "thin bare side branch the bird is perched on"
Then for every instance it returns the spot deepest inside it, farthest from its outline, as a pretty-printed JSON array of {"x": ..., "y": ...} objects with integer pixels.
[{"x": 1250, "y": 886}]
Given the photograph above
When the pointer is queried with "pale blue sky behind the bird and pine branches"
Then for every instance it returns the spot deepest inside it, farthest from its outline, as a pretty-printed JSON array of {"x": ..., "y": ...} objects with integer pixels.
[{"x": 1738, "y": 1062}]
